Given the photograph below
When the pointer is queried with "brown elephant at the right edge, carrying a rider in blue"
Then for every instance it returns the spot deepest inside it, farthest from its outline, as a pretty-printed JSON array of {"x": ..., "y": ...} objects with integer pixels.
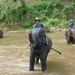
[{"x": 70, "y": 36}]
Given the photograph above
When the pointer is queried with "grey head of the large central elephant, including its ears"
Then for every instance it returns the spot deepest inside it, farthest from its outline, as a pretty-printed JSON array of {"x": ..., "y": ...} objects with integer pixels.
[{"x": 37, "y": 37}]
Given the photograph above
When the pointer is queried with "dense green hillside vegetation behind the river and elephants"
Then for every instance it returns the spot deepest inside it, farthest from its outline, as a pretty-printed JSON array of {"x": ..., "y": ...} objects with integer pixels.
[{"x": 20, "y": 14}]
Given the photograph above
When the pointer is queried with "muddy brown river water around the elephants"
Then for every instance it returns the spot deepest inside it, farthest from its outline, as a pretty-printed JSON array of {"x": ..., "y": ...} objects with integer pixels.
[{"x": 14, "y": 55}]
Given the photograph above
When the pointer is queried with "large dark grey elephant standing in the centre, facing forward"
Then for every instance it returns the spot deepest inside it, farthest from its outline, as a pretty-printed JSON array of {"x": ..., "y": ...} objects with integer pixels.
[{"x": 38, "y": 48}]
